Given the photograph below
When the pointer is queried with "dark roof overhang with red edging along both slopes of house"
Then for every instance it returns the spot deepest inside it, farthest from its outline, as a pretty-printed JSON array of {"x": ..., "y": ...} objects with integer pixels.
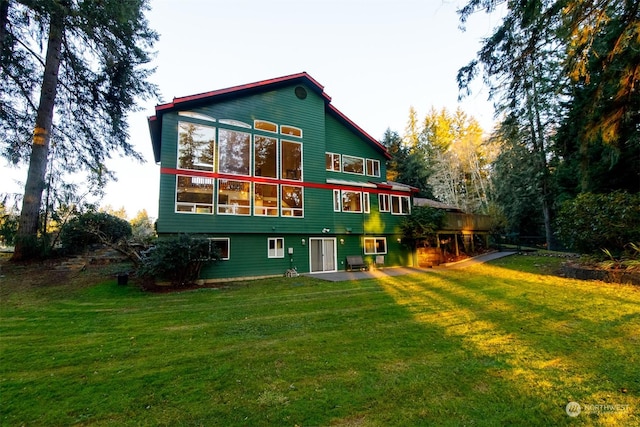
[{"x": 185, "y": 102}]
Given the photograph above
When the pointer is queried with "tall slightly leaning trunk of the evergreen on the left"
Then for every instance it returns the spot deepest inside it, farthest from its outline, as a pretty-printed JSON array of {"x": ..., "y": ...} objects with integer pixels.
[{"x": 26, "y": 239}]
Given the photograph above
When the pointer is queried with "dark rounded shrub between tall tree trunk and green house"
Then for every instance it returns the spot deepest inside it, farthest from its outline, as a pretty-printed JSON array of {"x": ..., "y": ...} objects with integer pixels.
[{"x": 91, "y": 228}]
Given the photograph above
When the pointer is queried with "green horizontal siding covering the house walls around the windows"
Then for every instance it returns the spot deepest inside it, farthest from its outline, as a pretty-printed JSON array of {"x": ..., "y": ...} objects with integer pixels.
[{"x": 248, "y": 234}]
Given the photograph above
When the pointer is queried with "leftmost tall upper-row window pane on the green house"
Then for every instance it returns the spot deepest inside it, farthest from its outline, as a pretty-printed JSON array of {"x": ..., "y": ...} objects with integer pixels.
[{"x": 196, "y": 145}]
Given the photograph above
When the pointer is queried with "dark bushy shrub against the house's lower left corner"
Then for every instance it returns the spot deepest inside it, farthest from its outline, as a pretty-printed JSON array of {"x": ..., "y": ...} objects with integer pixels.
[{"x": 178, "y": 260}]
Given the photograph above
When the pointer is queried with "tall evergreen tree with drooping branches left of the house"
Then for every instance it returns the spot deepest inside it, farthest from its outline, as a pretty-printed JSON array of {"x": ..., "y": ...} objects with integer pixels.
[{"x": 91, "y": 72}]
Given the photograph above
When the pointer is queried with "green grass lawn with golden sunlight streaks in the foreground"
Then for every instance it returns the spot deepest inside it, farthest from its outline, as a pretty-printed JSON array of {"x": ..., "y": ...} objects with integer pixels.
[{"x": 505, "y": 343}]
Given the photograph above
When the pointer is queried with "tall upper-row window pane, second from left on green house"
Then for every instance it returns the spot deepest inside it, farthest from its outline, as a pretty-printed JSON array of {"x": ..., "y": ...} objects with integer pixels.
[{"x": 234, "y": 152}]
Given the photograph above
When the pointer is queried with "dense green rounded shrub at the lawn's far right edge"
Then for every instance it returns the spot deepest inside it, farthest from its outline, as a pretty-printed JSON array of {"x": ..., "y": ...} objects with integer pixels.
[{"x": 591, "y": 222}]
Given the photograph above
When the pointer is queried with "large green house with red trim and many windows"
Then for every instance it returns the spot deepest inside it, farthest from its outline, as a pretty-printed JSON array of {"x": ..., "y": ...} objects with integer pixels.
[{"x": 276, "y": 177}]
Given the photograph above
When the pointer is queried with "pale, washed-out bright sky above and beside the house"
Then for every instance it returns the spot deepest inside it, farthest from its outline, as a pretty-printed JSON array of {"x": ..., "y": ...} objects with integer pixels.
[{"x": 375, "y": 58}]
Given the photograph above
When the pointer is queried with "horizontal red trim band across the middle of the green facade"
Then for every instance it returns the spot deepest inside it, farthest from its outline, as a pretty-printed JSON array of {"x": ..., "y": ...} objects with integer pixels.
[{"x": 385, "y": 188}]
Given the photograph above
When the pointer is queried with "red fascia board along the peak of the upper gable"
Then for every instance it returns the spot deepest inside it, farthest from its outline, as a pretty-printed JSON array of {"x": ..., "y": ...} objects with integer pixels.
[{"x": 235, "y": 90}]
